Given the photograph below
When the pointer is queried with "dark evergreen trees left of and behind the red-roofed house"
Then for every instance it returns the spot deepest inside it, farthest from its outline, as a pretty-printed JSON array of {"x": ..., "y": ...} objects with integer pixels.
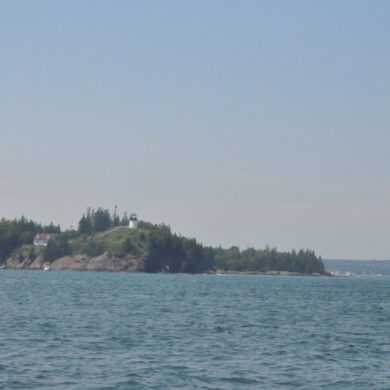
[{"x": 17, "y": 232}]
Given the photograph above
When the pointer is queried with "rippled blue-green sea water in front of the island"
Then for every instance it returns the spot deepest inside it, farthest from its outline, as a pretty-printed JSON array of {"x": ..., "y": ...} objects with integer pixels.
[{"x": 74, "y": 330}]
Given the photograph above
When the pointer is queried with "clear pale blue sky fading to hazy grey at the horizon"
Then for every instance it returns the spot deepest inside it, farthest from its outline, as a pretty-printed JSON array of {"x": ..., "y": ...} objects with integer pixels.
[{"x": 247, "y": 123}]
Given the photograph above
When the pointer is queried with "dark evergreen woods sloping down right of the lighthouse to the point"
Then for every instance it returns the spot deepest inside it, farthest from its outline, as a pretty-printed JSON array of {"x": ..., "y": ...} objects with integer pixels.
[{"x": 179, "y": 254}]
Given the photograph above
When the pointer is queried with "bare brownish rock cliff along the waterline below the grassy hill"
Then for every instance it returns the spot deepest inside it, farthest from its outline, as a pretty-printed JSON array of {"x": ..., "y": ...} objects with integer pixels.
[{"x": 103, "y": 262}]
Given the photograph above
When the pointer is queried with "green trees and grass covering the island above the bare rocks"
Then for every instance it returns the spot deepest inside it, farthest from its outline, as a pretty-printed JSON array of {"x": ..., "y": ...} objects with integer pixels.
[{"x": 163, "y": 251}]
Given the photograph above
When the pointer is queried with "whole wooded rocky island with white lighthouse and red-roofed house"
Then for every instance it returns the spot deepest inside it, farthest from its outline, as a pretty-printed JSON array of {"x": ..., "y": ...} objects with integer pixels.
[{"x": 105, "y": 242}]
